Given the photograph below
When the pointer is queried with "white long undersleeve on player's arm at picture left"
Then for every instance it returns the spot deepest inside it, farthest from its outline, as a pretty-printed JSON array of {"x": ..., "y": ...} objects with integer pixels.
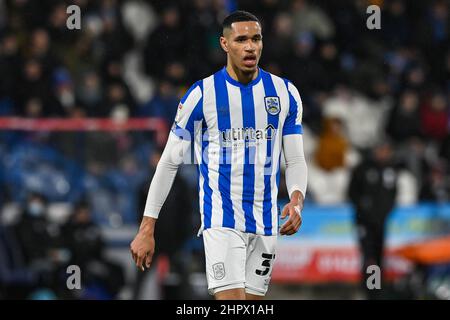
[{"x": 174, "y": 153}]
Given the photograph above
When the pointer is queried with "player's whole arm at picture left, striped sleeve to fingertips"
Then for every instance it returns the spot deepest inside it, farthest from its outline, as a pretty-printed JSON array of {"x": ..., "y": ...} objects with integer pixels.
[{"x": 178, "y": 145}]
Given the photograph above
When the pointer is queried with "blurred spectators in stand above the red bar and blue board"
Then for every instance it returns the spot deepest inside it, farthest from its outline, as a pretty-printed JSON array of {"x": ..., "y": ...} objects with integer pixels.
[{"x": 359, "y": 86}]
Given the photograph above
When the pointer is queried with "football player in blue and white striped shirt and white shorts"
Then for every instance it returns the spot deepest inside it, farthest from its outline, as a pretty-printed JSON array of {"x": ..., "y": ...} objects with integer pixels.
[{"x": 239, "y": 120}]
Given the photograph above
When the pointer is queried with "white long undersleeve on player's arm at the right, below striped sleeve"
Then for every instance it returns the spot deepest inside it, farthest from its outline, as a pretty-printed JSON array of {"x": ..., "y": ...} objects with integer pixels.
[{"x": 296, "y": 168}]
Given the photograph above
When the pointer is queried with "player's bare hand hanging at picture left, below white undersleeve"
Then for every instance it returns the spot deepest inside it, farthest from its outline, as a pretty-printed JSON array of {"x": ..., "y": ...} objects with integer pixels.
[{"x": 143, "y": 247}]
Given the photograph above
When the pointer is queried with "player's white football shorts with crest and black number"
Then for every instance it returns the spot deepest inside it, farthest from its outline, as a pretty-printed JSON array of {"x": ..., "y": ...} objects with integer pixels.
[{"x": 236, "y": 259}]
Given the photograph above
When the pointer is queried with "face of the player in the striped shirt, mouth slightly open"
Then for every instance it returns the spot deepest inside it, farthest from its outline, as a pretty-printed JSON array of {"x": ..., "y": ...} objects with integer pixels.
[{"x": 243, "y": 44}]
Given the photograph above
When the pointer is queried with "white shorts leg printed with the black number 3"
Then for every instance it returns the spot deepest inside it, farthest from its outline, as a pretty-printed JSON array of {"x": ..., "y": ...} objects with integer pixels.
[{"x": 260, "y": 260}]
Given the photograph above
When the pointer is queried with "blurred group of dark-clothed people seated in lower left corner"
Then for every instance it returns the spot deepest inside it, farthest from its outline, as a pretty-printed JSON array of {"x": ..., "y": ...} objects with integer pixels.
[{"x": 35, "y": 253}]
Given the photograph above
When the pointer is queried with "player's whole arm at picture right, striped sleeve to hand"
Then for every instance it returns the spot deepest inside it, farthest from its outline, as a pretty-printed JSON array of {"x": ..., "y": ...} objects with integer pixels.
[{"x": 296, "y": 168}]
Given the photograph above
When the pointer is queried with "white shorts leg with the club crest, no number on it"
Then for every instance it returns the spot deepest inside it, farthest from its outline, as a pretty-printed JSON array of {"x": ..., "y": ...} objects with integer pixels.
[{"x": 225, "y": 253}]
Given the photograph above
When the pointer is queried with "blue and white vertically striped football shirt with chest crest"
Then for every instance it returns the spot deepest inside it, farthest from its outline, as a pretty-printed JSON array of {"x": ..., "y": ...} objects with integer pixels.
[{"x": 237, "y": 131}]
